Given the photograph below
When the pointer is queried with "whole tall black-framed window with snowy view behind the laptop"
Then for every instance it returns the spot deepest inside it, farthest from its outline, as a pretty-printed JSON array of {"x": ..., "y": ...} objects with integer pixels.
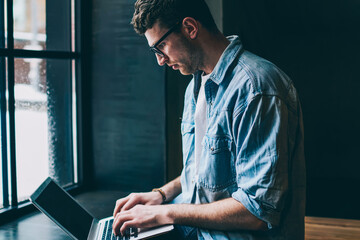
[{"x": 38, "y": 69}]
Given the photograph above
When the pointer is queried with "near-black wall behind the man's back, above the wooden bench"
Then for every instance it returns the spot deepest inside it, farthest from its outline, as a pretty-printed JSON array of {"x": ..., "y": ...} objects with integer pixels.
[{"x": 317, "y": 43}]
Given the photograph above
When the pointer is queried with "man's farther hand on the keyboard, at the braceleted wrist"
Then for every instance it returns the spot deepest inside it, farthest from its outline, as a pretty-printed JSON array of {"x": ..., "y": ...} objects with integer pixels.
[{"x": 126, "y": 203}]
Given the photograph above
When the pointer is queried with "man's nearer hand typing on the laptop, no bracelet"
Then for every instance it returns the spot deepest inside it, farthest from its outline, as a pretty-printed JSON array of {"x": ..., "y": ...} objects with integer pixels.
[{"x": 141, "y": 216}]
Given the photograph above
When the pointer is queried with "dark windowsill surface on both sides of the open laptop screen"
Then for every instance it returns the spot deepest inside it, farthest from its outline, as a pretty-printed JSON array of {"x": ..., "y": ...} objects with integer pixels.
[{"x": 99, "y": 203}]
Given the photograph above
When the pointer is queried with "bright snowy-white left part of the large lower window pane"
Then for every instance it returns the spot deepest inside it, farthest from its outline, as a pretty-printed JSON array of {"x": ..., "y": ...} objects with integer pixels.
[{"x": 31, "y": 124}]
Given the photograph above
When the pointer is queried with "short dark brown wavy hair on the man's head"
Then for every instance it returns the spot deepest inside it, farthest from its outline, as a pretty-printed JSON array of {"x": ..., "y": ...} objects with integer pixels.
[{"x": 170, "y": 12}]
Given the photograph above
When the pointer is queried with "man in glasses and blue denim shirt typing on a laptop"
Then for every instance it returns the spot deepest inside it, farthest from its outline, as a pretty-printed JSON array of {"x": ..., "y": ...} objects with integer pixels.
[{"x": 243, "y": 173}]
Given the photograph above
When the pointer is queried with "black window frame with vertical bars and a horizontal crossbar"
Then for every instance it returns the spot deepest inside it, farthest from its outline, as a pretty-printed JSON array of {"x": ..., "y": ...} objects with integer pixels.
[{"x": 15, "y": 209}]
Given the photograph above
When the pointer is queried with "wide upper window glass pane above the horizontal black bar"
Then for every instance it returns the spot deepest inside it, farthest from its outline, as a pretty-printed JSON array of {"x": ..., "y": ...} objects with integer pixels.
[{"x": 42, "y": 25}]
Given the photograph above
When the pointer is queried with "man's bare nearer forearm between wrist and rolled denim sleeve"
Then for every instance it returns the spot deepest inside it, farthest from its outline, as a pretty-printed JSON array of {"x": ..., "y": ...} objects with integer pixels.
[{"x": 227, "y": 214}]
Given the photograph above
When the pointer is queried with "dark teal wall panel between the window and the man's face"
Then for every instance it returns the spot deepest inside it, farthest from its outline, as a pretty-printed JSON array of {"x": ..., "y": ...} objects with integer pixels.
[{"x": 128, "y": 95}]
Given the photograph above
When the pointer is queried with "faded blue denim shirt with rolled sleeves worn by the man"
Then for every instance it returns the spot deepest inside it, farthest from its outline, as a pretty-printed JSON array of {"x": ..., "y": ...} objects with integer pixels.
[{"x": 253, "y": 147}]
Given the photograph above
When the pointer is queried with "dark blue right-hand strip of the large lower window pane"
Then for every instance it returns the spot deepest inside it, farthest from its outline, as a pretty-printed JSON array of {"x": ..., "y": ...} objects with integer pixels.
[{"x": 59, "y": 89}]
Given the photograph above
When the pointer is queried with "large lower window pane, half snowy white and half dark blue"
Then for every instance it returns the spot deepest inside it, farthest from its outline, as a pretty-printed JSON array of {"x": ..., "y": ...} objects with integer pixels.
[{"x": 43, "y": 123}]
